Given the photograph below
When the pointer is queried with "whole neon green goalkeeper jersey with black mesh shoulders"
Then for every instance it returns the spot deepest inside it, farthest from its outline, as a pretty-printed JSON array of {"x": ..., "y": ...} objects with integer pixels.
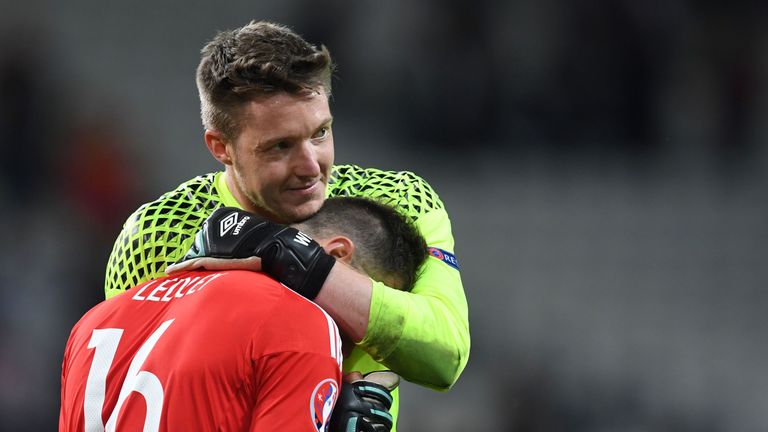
[{"x": 423, "y": 335}]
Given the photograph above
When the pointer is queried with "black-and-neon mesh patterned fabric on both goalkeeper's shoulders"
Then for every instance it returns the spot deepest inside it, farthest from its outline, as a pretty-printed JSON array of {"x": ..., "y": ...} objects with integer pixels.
[{"x": 160, "y": 232}]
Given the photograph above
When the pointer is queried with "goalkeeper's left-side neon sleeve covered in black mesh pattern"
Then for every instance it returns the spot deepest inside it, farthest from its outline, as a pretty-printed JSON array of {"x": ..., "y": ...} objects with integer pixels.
[{"x": 158, "y": 233}]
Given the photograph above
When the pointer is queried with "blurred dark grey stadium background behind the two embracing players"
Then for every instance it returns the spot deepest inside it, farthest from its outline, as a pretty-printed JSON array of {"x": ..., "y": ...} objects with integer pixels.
[{"x": 604, "y": 164}]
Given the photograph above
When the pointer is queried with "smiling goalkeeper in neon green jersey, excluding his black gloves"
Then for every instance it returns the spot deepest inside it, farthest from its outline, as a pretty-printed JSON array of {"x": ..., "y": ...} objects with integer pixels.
[{"x": 264, "y": 103}]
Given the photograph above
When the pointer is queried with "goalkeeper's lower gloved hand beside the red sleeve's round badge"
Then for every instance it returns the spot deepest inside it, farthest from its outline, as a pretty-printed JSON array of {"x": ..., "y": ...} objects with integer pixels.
[{"x": 364, "y": 402}]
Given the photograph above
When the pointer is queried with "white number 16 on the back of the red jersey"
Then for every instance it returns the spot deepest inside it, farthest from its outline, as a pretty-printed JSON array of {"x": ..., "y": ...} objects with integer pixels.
[{"x": 105, "y": 342}]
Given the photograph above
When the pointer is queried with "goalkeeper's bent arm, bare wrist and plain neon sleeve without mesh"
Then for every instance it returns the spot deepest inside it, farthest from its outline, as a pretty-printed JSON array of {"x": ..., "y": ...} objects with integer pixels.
[{"x": 423, "y": 335}]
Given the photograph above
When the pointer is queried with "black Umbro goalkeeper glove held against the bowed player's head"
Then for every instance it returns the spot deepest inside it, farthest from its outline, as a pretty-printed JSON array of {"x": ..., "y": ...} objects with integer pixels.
[{"x": 287, "y": 254}]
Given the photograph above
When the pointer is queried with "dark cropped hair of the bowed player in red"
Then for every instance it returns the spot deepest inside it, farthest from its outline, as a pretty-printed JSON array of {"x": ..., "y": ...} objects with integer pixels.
[{"x": 387, "y": 246}]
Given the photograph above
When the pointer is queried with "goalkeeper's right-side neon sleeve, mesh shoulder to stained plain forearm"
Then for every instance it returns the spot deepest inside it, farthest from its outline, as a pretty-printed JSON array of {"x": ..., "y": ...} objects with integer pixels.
[{"x": 423, "y": 335}]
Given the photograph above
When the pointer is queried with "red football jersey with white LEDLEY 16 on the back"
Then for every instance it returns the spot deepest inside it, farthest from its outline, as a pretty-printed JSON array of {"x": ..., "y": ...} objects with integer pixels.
[{"x": 230, "y": 350}]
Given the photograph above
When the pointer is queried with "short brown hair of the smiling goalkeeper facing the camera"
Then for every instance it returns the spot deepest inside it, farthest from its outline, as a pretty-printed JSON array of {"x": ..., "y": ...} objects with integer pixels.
[{"x": 257, "y": 60}]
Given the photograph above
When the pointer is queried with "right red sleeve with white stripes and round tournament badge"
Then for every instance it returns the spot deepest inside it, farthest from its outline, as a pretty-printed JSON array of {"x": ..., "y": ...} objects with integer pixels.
[{"x": 298, "y": 368}]
